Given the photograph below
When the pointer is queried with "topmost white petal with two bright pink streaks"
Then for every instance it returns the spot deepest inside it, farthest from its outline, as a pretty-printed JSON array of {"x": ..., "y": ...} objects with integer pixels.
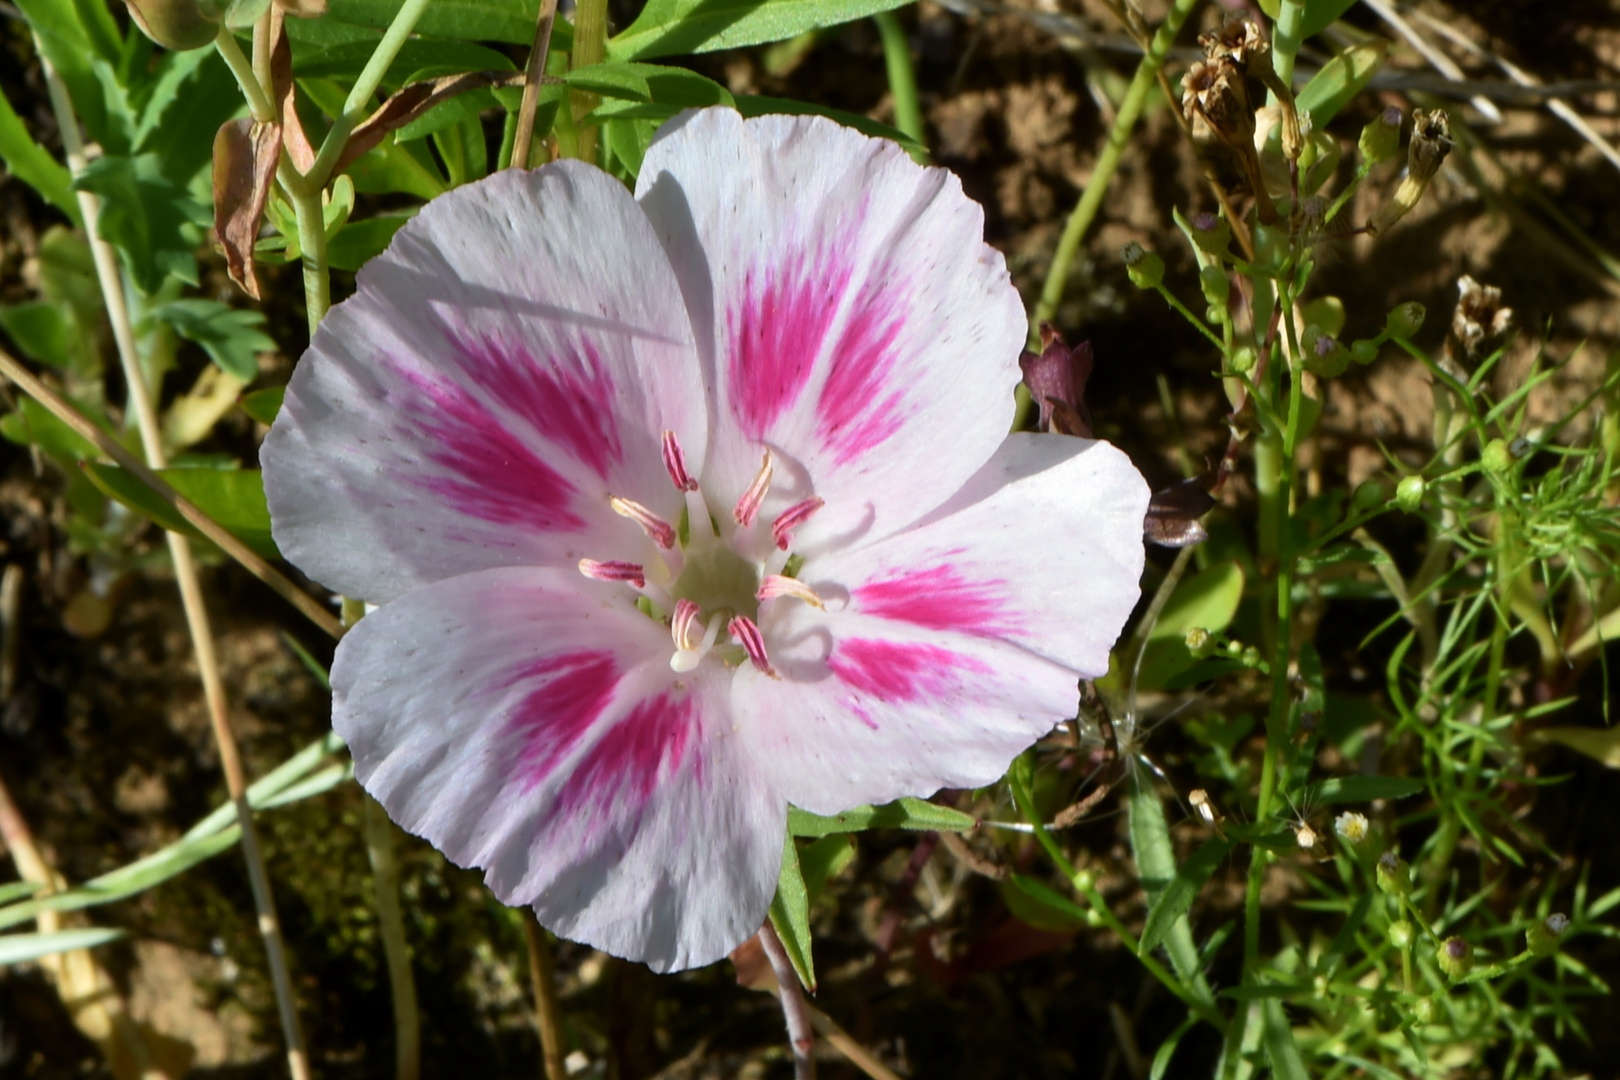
[{"x": 851, "y": 317}]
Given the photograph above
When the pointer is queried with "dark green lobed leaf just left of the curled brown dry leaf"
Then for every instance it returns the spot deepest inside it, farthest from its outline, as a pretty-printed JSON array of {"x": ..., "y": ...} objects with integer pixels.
[{"x": 148, "y": 218}]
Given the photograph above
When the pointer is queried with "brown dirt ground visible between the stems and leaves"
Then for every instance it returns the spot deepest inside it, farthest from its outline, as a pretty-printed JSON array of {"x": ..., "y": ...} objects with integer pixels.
[{"x": 104, "y": 739}]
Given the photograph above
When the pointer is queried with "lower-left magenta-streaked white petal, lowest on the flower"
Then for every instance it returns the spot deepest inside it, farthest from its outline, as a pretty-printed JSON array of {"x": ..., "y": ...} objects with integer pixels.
[{"x": 521, "y": 726}]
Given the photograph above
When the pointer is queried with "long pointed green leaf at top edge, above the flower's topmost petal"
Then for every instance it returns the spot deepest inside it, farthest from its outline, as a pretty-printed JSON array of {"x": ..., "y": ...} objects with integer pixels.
[{"x": 670, "y": 28}]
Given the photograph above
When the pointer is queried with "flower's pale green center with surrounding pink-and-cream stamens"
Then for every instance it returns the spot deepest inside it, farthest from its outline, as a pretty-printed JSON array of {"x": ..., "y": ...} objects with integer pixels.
[{"x": 712, "y": 582}]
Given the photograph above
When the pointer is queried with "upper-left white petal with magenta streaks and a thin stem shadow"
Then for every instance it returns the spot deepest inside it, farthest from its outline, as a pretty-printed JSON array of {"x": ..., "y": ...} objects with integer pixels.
[{"x": 505, "y": 367}]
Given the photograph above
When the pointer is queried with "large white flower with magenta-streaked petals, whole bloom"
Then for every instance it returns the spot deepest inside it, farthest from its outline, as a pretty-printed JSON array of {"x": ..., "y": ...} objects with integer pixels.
[{"x": 688, "y": 506}]
